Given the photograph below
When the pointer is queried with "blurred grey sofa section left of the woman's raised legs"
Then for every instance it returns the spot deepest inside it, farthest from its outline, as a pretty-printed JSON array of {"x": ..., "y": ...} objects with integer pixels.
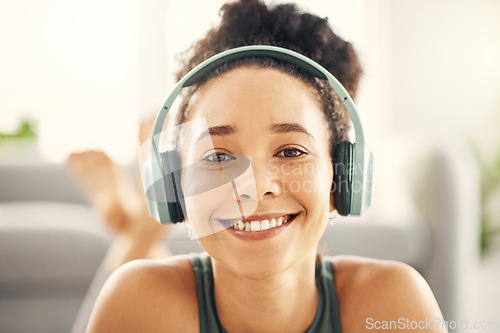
[{"x": 49, "y": 253}]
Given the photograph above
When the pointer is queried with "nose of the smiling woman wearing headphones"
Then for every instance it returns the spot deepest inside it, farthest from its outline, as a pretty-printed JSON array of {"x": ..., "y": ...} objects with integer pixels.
[{"x": 259, "y": 182}]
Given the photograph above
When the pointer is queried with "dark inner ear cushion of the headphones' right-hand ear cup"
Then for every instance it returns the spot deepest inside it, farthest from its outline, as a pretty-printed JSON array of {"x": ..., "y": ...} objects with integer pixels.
[{"x": 343, "y": 176}]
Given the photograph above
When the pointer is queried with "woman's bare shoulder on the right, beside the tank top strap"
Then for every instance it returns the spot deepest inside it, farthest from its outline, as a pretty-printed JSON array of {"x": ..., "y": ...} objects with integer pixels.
[{"x": 373, "y": 293}]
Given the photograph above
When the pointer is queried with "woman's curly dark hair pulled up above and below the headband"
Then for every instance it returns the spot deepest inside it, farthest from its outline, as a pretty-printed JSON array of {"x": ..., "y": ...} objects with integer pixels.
[{"x": 252, "y": 22}]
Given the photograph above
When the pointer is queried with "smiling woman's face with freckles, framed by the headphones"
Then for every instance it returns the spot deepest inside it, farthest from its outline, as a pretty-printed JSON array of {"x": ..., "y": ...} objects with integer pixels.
[{"x": 275, "y": 122}]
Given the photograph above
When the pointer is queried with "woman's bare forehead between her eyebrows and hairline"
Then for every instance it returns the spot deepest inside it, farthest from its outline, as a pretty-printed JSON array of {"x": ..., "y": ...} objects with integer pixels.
[{"x": 248, "y": 95}]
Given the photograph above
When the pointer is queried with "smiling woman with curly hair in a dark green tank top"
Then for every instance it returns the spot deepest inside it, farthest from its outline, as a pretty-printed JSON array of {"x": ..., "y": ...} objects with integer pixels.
[{"x": 272, "y": 280}]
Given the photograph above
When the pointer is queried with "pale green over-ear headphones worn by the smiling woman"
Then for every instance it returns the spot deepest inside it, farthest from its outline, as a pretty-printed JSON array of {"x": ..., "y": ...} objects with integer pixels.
[{"x": 352, "y": 162}]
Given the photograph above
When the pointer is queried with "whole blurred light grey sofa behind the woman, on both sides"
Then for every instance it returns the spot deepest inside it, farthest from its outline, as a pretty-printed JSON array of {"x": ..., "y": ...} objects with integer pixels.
[{"x": 51, "y": 242}]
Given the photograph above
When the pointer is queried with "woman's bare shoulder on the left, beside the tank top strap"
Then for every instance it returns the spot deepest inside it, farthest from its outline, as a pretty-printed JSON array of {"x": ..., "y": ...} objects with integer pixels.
[{"x": 148, "y": 296}]
